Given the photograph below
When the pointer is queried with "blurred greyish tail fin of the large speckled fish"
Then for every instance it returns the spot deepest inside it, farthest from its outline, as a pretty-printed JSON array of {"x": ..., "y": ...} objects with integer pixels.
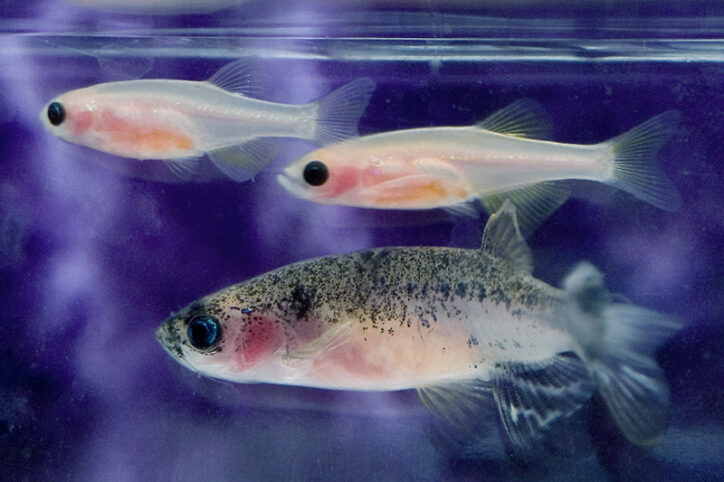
[{"x": 618, "y": 343}]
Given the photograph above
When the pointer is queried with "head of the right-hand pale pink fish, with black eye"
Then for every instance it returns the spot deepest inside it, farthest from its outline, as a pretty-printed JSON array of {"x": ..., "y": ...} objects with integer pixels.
[{"x": 329, "y": 175}]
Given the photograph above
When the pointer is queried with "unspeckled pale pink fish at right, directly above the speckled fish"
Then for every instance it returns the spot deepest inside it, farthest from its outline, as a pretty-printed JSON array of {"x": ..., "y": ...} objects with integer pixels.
[{"x": 503, "y": 157}]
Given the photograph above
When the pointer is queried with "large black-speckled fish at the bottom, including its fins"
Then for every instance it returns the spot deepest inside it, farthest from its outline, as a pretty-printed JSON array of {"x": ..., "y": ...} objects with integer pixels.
[{"x": 463, "y": 327}]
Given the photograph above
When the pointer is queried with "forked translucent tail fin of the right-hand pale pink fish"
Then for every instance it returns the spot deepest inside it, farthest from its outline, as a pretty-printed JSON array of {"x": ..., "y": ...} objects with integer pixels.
[{"x": 634, "y": 166}]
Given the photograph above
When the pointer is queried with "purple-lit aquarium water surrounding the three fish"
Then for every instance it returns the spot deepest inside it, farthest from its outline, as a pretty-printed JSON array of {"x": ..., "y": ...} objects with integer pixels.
[{"x": 95, "y": 251}]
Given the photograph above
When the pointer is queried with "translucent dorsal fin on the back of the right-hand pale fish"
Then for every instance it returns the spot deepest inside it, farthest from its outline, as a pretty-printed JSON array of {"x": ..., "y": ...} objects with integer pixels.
[{"x": 522, "y": 118}]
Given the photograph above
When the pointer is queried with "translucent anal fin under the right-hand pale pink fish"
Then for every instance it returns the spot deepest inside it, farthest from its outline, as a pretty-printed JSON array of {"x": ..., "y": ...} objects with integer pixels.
[{"x": 533, "y": 203}]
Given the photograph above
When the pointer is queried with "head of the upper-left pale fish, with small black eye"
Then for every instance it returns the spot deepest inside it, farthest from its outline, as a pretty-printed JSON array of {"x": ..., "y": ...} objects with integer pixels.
[{"x": 70, "y": 116}]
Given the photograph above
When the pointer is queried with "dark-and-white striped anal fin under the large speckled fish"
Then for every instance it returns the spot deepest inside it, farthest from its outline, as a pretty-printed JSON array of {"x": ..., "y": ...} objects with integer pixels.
[{"x": 531, "y": 397}]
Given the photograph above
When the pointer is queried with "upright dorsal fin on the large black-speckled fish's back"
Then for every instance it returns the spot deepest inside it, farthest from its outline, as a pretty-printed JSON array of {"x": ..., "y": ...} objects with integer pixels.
[{"x": 502, "y": 239}]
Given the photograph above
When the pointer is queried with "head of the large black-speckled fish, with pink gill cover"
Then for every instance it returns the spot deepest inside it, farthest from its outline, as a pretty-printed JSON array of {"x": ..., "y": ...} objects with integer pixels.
[{"x": 219, "y": 337}]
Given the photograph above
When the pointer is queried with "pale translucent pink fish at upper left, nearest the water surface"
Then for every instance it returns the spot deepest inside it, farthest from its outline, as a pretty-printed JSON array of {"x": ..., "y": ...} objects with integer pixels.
[{"x": 179, "y": 121}]
